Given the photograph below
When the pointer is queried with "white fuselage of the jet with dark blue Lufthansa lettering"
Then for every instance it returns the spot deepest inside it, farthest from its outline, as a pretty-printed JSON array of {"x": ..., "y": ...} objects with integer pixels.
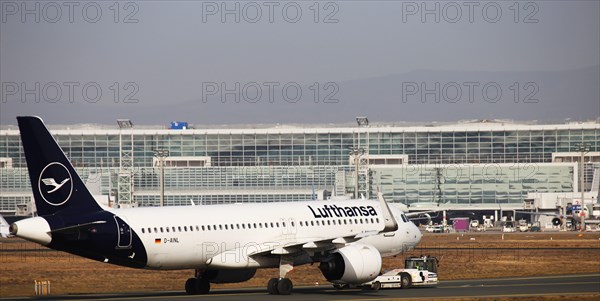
[{"x": 187, "y": 237}]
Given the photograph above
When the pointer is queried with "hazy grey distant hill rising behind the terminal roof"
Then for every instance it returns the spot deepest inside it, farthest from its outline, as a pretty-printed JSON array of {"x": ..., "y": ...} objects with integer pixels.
[{"x": 565, "y": 94}]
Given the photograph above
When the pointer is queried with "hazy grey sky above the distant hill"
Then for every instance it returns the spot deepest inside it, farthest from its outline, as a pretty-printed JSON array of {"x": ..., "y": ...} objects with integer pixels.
[{"x": 164, "y": 52}]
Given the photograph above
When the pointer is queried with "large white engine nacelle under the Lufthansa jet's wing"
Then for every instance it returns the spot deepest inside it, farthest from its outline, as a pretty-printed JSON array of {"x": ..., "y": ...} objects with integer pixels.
[{"x": 353, "y": 264}]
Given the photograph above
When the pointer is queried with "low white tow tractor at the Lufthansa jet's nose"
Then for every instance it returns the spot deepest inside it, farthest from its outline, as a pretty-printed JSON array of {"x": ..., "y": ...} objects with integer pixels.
[{"x": 418, "y": 271}]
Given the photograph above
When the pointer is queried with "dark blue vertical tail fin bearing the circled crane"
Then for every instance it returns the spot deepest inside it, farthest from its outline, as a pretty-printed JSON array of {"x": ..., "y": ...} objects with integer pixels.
[{"x": 57, "y": 189}]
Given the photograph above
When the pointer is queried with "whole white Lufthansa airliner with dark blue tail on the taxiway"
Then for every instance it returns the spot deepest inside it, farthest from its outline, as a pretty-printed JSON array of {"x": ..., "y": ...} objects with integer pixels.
[{"x": 220, "y": 243}]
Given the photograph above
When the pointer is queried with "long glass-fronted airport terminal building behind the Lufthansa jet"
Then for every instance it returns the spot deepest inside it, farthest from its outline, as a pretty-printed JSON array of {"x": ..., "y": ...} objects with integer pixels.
[{"x": 460, "y": 165}]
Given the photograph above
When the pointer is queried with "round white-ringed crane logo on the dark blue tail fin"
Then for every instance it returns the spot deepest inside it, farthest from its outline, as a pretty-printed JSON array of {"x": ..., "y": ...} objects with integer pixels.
[{"x": 55, "y": 184}]
